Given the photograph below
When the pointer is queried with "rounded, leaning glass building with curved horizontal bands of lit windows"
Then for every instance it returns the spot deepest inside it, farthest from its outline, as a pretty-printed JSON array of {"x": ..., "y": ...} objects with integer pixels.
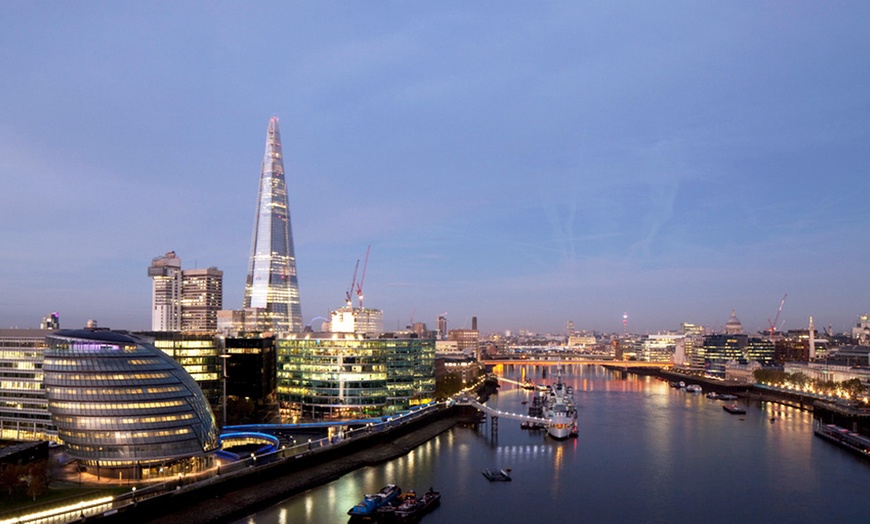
[{"x": 117, "y": 401}]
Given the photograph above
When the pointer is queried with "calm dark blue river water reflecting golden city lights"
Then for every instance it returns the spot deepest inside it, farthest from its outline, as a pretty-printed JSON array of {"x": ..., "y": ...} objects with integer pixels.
[{"x": 646, "y": 453}]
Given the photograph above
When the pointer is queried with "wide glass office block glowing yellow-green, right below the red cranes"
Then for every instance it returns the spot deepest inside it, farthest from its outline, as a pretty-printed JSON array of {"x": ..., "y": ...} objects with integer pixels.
[{"x": 346, "y": 375}]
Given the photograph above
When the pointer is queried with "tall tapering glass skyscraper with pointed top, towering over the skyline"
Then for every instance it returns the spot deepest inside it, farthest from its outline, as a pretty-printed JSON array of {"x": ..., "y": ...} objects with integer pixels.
[{"x": 272, "y": 284}]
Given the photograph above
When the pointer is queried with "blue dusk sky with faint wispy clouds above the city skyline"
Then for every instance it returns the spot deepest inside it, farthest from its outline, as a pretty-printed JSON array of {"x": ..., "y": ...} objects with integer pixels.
[{"x": 527, "y": 163}]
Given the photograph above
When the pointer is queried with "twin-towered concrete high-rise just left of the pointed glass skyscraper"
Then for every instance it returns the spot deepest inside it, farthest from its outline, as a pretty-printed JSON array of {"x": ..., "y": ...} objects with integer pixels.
[{"x": 184, "y": 300}]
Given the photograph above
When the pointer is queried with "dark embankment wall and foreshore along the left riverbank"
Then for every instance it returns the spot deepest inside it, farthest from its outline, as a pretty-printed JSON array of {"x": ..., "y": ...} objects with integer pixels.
[{"x": 234, "y": 495}]
